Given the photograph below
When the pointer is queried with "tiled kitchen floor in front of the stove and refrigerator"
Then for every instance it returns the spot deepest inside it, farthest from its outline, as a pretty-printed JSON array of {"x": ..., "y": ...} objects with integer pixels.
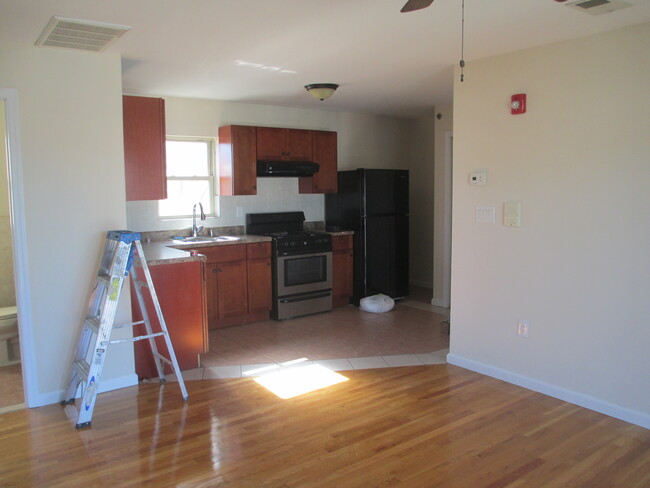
[{"x": 345, "y": 338}]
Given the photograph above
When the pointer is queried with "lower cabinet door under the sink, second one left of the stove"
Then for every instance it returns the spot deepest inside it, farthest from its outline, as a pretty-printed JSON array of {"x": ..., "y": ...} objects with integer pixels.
[{"x": 232, "y": 291}]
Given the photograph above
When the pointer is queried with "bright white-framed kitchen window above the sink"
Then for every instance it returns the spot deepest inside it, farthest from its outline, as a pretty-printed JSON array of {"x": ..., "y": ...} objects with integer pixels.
[{"x": 190, "y": 176}]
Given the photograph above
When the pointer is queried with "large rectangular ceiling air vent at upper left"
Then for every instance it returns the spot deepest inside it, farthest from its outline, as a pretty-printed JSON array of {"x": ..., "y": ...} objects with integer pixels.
[{"x": 80, "y": 34}]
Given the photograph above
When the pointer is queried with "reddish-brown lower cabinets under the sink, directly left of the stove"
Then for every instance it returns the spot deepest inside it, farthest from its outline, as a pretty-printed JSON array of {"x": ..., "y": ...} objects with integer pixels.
[{"x": 238, "y": 283}]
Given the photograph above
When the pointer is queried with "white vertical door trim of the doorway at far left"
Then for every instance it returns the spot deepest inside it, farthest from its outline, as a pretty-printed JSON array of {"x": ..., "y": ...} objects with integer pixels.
[{"x": 19, "y": 242}]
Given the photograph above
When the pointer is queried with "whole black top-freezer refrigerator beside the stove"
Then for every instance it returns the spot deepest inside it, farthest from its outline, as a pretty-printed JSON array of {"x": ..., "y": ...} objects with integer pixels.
[{"x": 374, "y": 203}]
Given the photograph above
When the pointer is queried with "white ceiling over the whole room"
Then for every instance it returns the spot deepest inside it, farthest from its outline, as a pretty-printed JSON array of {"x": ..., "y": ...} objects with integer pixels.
[{"x": 265, "y": 51}]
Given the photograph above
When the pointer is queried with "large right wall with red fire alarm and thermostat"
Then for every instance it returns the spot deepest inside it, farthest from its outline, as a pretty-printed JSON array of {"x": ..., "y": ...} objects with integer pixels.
[{"x": 578, "y": 267}]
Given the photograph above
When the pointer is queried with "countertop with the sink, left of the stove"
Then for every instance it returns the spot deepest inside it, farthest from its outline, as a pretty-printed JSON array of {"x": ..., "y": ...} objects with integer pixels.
[{"x": 170, "y": 252}]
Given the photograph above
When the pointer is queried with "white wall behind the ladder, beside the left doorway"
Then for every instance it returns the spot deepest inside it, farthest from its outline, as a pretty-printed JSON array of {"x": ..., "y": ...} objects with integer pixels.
[{"x": 73, "y": 172}]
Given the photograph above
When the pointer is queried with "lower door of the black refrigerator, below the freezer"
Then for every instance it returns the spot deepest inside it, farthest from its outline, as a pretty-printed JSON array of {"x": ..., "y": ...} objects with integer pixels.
[{"x": 387, "y": 255}]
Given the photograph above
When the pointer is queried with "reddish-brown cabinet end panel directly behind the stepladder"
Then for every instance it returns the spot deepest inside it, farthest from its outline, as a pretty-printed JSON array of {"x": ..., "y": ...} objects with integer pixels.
[{"x": 180, "y": 288}]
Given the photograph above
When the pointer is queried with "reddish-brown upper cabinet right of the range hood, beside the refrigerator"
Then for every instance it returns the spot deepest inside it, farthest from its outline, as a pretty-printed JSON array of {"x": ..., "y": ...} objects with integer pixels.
[{"x": 324, "y": 152}]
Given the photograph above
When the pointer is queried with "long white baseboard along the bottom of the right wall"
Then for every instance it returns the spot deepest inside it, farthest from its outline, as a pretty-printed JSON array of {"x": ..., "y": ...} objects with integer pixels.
[{"x": 616, "y": 411}]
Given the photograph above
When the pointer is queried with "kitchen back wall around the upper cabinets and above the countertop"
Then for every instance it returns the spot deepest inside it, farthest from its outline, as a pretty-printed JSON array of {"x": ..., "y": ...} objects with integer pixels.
[{"x": 363, "y": 142}]
